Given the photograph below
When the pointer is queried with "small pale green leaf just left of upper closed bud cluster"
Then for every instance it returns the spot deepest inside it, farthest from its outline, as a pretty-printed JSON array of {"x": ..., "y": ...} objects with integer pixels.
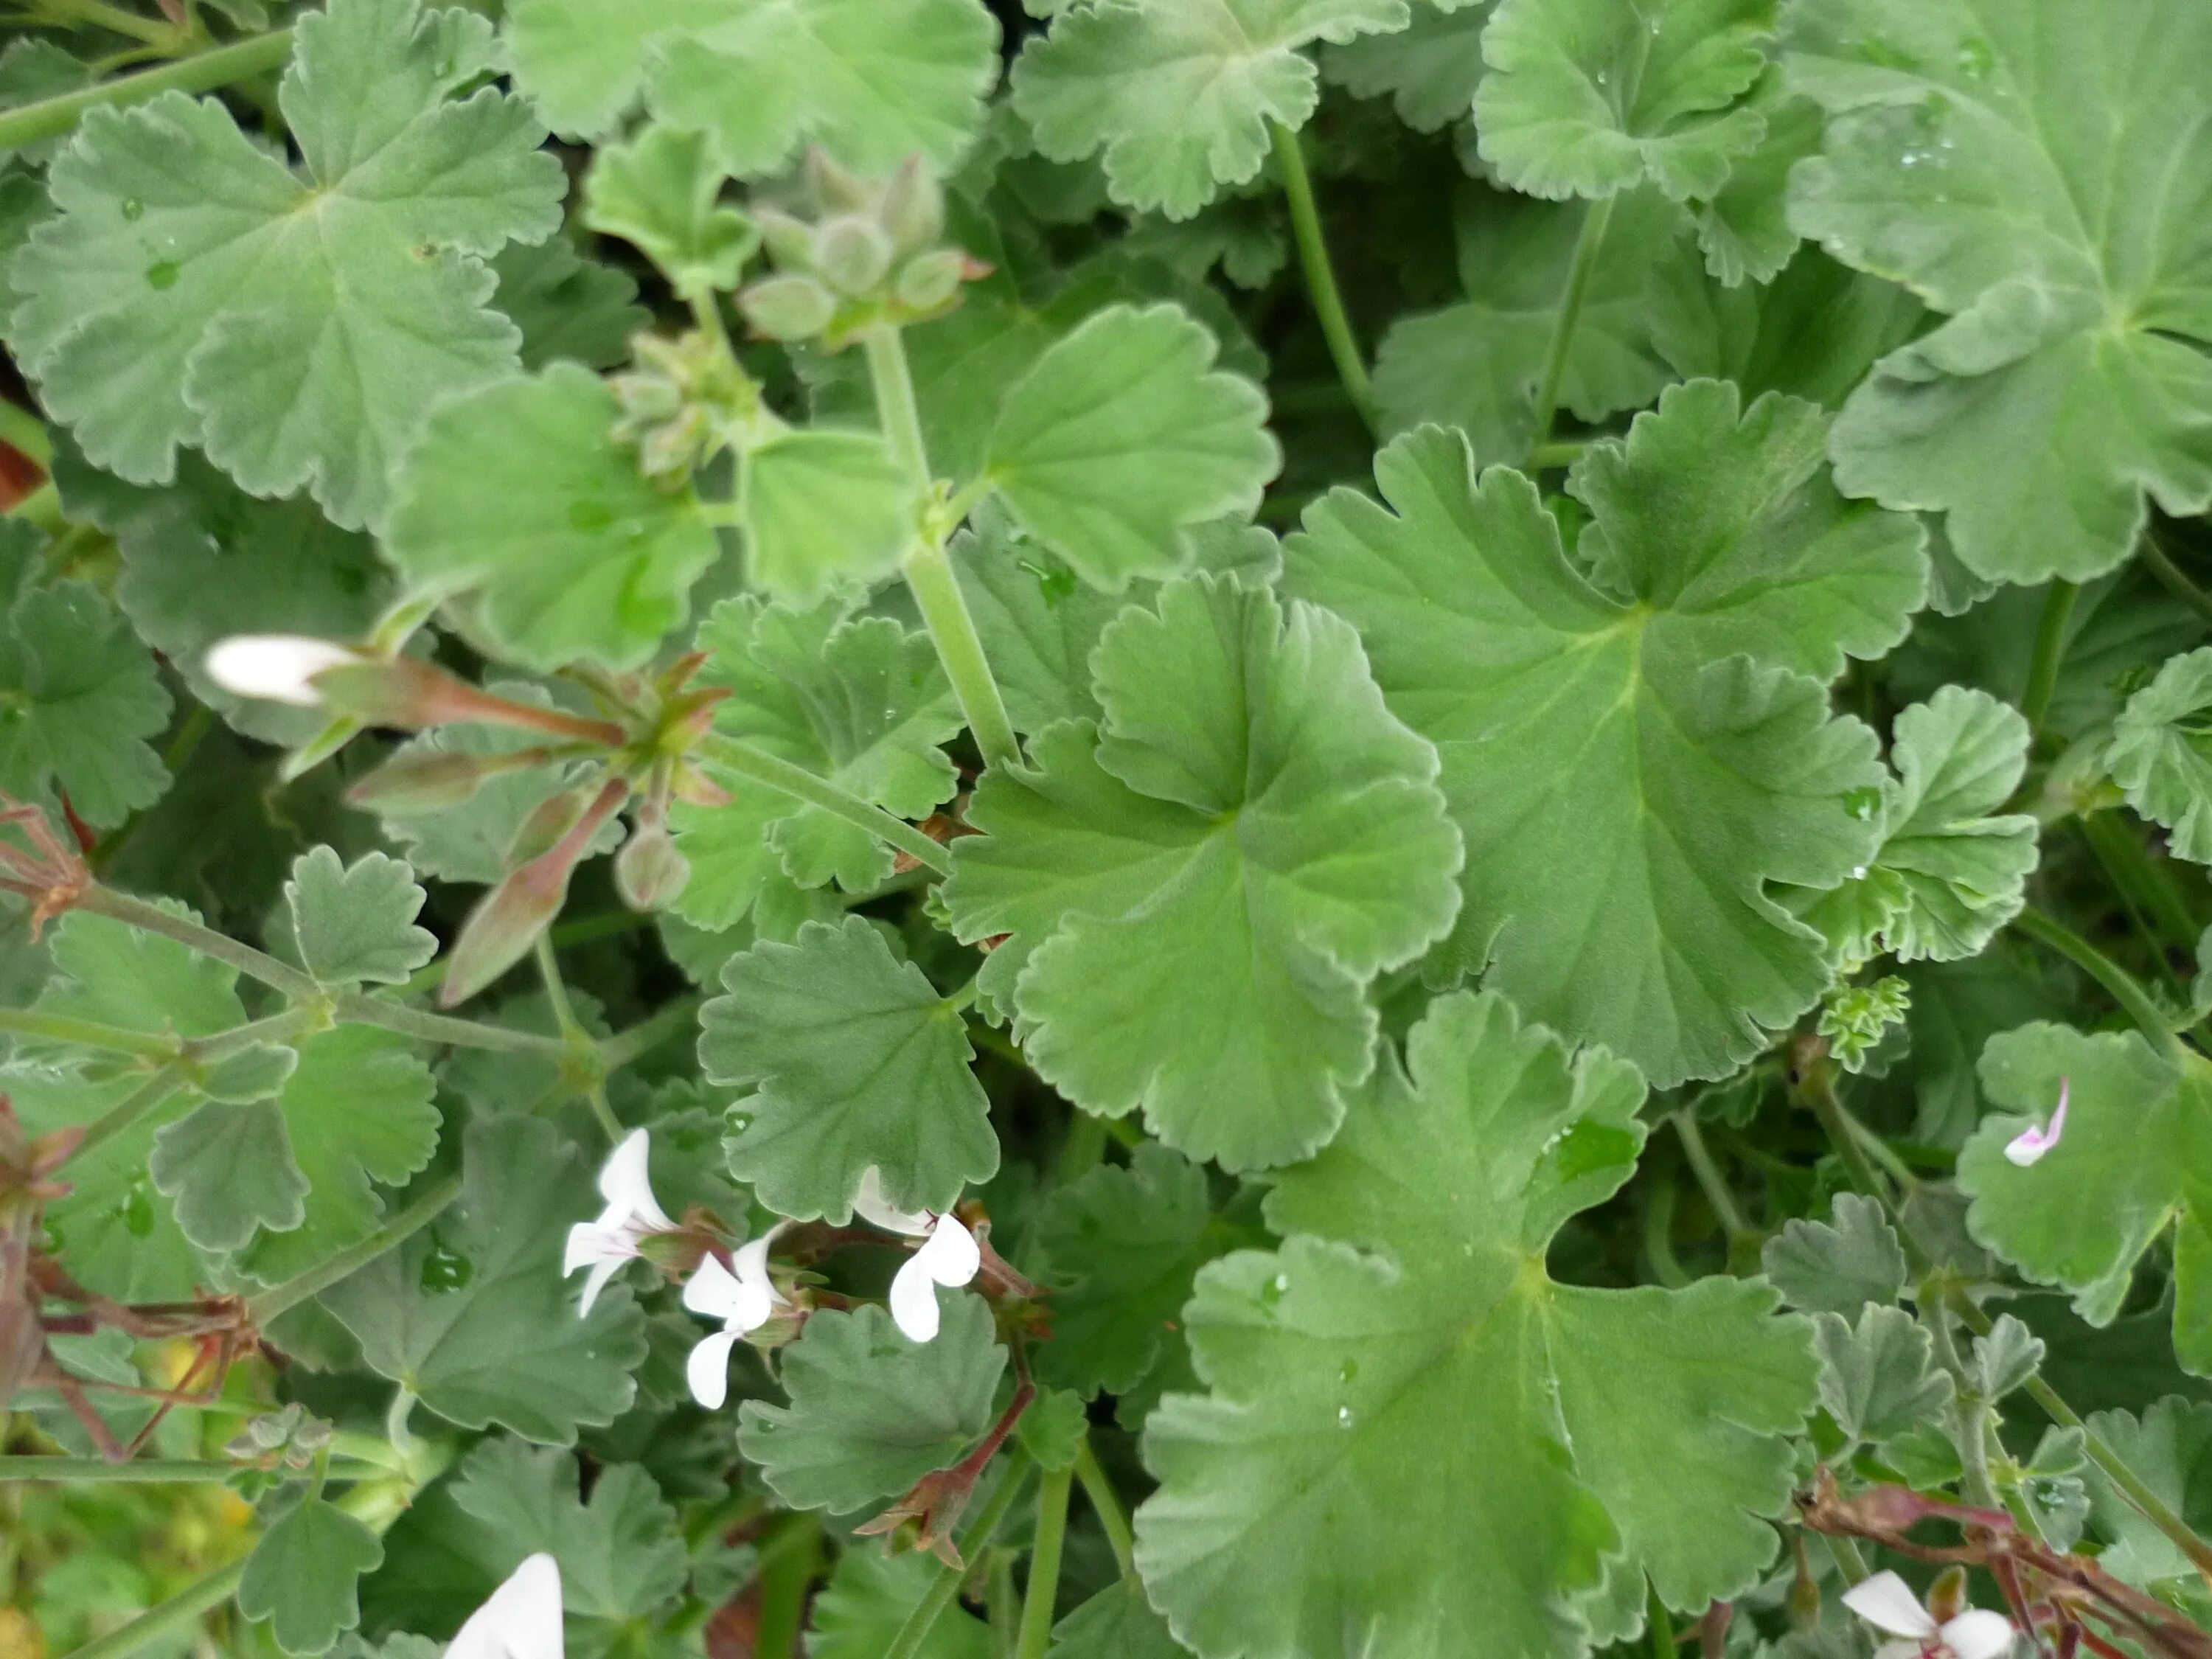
[{"x": 660, "y": 194}]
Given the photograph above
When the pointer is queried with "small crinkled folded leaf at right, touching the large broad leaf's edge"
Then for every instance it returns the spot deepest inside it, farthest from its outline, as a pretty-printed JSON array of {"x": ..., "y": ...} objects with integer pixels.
[{"x": 1950, "y": 870}]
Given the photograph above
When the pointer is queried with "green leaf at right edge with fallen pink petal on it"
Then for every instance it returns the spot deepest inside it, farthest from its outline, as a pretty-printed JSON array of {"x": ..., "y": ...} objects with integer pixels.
[{"x": 2136, "y": 1158}]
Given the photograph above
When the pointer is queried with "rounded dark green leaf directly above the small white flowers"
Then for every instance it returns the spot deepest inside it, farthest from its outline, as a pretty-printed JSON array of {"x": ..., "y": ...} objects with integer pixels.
[{"x": 855, "y": 1063}]
